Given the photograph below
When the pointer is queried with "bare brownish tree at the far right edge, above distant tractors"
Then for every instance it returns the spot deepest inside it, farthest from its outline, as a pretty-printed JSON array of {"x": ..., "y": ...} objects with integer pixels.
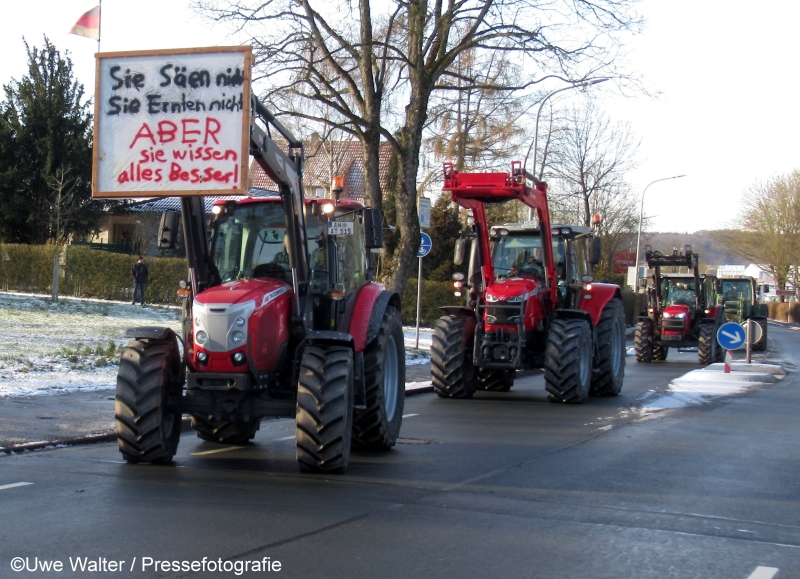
[{"x": 769, "y": 227}]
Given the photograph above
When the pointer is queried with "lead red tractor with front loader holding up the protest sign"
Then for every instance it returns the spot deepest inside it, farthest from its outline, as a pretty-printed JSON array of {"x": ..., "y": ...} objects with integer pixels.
[{"x": 281, "y": 317}]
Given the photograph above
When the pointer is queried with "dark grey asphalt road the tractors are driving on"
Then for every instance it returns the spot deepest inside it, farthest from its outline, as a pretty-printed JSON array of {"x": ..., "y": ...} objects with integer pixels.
[{"x": 504, "y": 485}]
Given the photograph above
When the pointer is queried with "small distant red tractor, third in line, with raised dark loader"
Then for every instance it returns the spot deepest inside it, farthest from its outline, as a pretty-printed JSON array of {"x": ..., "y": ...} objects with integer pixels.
[{"x": 681, "y": 310}]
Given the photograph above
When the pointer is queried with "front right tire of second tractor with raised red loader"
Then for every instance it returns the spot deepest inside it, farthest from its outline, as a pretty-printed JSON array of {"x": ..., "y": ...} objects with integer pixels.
[{"x": 568, "y": 361}]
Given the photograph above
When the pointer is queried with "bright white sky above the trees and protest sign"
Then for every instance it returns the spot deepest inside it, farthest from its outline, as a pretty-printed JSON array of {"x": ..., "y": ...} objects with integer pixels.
[{"x": 725, "y": 115}]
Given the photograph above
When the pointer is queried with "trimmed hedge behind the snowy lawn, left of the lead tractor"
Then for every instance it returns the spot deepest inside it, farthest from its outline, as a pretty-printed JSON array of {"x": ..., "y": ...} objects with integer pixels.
[{"x": 87, "y": 273}]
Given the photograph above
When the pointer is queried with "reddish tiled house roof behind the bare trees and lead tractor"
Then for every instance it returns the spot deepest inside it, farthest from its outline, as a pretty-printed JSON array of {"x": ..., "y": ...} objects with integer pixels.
[{"x": 326, "y": 159}]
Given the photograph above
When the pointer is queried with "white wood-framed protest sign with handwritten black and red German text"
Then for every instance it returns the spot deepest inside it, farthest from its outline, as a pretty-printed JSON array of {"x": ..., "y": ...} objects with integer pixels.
[{"x": 171, "y": 123}]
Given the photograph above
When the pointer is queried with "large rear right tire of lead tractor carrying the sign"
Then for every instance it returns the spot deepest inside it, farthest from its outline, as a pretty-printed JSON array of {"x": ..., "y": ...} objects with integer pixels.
[{"x": 377, "y": 426}]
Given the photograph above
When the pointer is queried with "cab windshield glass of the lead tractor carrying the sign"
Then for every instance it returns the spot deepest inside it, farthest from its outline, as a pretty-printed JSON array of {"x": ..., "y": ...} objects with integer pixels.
[{"x": 253, "y": 243}]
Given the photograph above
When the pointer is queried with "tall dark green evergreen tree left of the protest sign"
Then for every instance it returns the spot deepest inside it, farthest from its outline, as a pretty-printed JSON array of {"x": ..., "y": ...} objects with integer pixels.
[{"x": 45, "y": 133}]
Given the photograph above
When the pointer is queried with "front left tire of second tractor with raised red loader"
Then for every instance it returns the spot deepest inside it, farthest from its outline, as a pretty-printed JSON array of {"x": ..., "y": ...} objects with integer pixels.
[{"x": 452, "y": 371}]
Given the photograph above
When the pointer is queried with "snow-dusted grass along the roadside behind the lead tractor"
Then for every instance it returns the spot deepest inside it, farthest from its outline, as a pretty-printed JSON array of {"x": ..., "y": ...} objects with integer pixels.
[{"x": 74, "y": 344}]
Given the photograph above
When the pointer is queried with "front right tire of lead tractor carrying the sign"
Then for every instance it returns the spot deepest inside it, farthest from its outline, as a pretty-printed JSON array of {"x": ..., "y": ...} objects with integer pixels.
[{"x": 324, "y": 421}]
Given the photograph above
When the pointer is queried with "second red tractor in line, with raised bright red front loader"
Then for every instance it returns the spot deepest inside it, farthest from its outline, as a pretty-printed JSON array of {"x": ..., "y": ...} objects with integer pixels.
[{"x": 532, "y": 302}]
